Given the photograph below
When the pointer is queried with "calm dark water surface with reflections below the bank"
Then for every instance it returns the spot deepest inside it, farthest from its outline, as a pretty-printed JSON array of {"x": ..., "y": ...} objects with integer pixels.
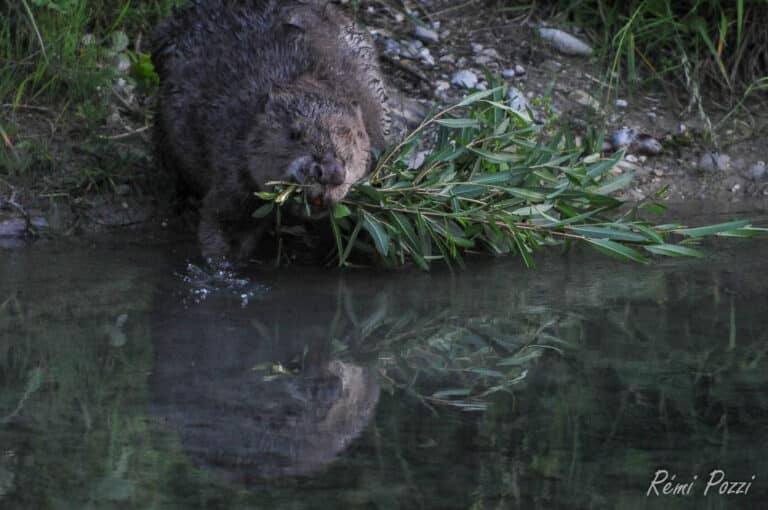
[{"x": 130, "y": 380}]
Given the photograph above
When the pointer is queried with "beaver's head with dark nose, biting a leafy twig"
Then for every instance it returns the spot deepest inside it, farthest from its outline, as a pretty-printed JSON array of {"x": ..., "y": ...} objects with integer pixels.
[{"x": 311, "y": 139}]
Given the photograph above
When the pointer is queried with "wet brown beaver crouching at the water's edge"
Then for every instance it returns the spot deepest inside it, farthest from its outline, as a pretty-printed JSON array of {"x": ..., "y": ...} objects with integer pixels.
[{"x": 253, "y": 91}]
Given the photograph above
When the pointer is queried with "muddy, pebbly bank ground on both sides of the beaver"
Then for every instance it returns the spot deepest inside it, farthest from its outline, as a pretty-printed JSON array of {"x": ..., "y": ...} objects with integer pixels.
[{"x": 66, "y": 174}]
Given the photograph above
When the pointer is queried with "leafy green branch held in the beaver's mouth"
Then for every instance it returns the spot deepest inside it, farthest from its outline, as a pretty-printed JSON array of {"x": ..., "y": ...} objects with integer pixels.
[{"x": 494, "y": 181}]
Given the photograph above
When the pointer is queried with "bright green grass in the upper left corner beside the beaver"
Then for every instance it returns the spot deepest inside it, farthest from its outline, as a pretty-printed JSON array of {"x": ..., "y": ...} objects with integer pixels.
[{"x": 68, "y": 48}]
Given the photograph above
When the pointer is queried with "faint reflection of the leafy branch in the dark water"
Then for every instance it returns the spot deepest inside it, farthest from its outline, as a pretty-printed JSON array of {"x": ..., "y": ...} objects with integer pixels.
[{"x": 451, "y": 360}]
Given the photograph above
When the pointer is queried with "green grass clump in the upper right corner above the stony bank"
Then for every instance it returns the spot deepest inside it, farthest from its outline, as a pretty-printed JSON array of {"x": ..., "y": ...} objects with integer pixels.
[{"x": 694, "y": 42}]
